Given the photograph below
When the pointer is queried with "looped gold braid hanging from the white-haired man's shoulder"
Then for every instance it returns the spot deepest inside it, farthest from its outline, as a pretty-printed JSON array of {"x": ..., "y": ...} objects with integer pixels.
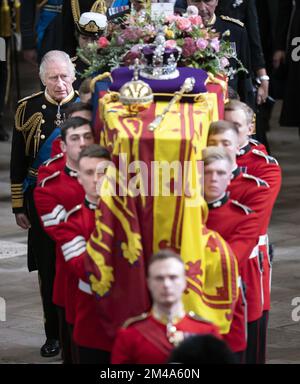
[{"x": 32, "y": 125}]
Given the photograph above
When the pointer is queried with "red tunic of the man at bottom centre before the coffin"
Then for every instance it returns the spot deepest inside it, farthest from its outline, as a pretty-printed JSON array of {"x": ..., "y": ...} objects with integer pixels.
[{"x": 145, "y": 341}]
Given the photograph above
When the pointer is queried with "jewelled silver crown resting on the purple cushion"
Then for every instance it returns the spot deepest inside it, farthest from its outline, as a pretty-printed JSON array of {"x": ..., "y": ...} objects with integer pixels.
[{"x": 159, "y": 61}]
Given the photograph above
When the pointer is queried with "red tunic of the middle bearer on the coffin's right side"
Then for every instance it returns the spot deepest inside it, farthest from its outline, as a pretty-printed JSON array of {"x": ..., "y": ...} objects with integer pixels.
[{"x": 254, "y": 193}]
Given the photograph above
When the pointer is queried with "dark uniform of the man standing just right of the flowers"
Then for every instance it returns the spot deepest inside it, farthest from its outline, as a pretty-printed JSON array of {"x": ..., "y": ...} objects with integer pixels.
[{"x": 241, "y": 82}]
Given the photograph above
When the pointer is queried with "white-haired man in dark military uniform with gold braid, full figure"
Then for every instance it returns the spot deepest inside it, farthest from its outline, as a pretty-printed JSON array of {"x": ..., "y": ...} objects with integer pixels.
[{"x": 37, "y": 122}]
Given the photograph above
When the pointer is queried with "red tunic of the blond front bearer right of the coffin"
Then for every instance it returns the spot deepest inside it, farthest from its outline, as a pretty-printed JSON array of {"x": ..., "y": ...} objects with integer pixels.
[{"x": 238, "y": 225}]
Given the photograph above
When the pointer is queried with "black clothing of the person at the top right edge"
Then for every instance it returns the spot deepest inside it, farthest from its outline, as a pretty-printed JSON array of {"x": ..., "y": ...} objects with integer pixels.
[{"x": 290, "y": 109}]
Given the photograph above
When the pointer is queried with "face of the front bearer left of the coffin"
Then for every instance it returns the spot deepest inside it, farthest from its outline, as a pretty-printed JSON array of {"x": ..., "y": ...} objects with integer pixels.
[{"x": 88, "y": 175}]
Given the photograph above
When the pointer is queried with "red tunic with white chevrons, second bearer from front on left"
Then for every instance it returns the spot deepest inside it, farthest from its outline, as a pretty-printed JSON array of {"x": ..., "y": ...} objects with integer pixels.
[{"x": 54, "y": 197}]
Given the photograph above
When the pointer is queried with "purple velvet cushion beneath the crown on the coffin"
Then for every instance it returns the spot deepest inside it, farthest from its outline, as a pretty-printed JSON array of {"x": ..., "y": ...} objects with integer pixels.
[{"x": 123, "y": 74}]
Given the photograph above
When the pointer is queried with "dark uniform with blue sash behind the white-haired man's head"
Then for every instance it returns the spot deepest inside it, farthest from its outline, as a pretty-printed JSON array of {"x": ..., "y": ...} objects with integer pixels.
[{"x": 48, "y": 28}]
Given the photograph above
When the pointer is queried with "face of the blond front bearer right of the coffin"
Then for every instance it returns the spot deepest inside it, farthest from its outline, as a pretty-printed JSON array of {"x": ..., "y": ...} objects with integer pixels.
[{"x": 216, "y": 179}]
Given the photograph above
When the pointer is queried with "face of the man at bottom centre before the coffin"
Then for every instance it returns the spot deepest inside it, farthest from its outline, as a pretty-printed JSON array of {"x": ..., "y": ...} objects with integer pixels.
[{"x": 166, "y": 281}]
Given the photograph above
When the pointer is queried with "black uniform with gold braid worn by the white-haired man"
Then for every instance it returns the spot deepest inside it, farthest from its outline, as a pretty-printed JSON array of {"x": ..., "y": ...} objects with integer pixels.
[{"x": 36, "y": 118}]
